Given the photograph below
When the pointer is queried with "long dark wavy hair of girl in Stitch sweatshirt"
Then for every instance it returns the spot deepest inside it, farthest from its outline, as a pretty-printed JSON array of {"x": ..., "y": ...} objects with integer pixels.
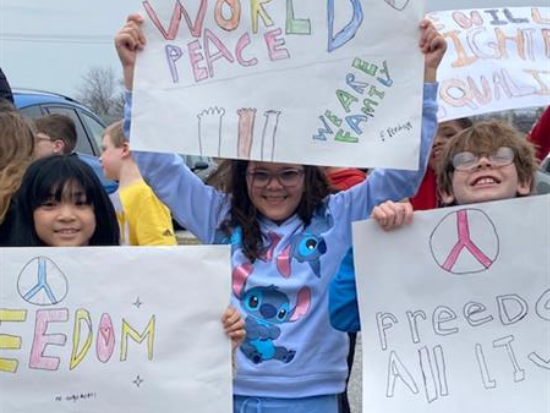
[{"x": 243, "y": 213}]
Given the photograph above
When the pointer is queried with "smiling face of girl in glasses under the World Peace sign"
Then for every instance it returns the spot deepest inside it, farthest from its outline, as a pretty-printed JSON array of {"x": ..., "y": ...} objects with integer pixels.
[{"x": 275, "y": 189}]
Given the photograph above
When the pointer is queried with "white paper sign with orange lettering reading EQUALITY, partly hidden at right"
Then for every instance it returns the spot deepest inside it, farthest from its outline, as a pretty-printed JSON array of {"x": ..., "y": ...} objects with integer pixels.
[{"x": 497, "y": 59}]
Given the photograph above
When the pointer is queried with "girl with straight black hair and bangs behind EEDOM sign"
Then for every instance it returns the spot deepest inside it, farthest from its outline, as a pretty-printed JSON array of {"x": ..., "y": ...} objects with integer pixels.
[{"x": 61, "y": 203}]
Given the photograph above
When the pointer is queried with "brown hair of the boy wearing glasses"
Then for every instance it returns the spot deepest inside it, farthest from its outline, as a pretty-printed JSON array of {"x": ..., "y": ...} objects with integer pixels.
[{"x": 485, "y": 138}]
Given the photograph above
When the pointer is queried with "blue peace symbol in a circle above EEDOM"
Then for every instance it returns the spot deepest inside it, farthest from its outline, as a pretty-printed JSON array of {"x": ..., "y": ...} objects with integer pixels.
[{"x": 42, "y": 283}]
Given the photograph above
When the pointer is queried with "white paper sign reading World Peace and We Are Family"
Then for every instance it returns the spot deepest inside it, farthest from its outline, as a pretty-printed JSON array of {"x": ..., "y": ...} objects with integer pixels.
[{"x": 327, "y": 83}]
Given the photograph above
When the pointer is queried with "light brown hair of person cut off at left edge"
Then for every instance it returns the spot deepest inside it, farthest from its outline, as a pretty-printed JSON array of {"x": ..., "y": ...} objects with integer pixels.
[{"x": 16, "y": 153}]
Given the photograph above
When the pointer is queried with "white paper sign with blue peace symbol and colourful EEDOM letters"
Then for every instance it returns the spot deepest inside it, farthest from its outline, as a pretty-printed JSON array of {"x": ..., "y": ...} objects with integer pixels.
[{"x": 114, "y": 329}]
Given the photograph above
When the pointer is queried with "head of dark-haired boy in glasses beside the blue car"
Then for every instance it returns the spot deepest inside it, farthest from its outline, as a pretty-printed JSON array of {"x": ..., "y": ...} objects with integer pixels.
[{"x": 56, "y": 135}]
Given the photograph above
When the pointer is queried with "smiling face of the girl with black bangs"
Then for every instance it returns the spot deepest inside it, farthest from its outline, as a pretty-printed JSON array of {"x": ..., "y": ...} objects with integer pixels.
[{"x": 67, "y": 222}]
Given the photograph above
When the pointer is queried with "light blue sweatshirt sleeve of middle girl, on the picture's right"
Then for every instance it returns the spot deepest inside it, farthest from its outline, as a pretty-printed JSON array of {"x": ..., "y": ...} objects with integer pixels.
[{"x": 391, "y": 184}]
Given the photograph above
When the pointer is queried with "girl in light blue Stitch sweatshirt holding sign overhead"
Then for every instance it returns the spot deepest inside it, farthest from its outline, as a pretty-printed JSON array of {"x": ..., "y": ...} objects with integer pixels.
[{"x": 288, "y": 235}]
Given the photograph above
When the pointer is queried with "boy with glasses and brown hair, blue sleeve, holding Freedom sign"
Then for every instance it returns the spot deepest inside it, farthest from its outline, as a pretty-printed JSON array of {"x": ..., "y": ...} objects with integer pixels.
[{"x": 486, "y": 162}]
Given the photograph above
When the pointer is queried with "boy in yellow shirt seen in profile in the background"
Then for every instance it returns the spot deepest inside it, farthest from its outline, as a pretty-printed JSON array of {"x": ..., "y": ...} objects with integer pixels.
[{"x": 142, "y": 218}]
